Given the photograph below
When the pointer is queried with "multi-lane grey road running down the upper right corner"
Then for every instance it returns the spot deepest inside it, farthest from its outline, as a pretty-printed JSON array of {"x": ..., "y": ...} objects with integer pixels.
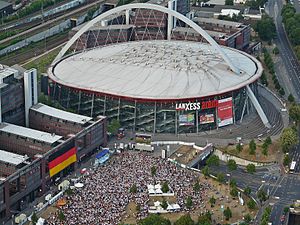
[{"x": 287, "y": 68}]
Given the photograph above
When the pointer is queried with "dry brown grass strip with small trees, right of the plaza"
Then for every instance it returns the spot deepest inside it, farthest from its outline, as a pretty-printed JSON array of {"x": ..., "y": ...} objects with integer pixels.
[{"x": 273, "y": 151}]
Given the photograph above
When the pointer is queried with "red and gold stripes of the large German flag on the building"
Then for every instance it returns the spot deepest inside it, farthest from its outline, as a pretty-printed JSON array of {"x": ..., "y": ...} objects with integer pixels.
[{"x": 62, "y": 161}]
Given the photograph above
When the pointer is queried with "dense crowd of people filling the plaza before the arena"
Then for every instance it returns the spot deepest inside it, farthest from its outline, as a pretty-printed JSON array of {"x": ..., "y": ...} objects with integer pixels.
[{"x": 106, "y": 192}]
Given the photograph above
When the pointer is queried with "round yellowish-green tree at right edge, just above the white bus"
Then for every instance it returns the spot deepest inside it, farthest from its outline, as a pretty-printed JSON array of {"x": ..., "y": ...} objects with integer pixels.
[{"x": 288, "y": 139}]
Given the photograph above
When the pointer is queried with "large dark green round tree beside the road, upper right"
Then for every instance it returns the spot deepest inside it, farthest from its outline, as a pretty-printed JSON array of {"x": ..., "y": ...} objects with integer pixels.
[{"x": 265, "y": 28}]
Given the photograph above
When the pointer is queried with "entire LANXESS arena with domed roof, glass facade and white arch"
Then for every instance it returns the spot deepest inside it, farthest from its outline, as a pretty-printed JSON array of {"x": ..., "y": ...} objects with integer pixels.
[{"x": 156, "y": 85}]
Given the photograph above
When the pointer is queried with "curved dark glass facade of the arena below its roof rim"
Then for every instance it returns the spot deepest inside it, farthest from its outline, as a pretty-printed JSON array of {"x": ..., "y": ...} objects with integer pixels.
[{"x": 156, "y": 116}]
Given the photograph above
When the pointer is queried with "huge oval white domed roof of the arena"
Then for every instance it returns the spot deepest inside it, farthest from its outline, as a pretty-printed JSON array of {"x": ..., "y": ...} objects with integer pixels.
[{"x": 156, "y": 70}]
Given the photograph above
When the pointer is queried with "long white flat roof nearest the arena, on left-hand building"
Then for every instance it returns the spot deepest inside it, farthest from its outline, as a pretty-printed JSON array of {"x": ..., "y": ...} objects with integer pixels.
[{"x": 57, "y": 113}]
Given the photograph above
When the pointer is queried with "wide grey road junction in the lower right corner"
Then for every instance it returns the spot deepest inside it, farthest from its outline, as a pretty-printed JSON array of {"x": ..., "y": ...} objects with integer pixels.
[{"x": 282, "y": 189}]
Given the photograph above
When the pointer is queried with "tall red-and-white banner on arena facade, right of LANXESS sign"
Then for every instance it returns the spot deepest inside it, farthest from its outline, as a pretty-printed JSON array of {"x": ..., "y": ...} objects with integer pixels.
[{"x": 225, "y": 115}]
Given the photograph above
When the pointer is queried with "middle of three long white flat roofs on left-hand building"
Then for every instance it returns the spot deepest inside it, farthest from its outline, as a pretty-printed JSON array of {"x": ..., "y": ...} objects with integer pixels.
[{"x": 29, "y": 133}]
